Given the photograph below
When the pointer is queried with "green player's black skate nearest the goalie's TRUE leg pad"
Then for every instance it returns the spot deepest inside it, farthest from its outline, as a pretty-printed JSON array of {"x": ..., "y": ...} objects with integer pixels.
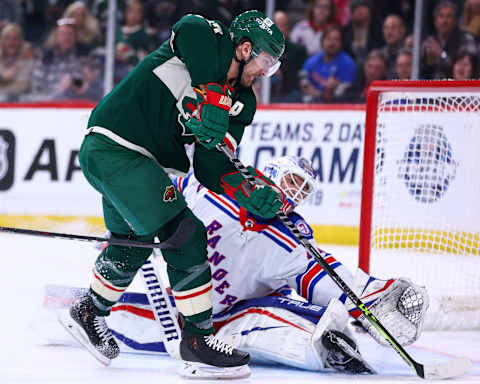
[{"x": 209, "y": 357}]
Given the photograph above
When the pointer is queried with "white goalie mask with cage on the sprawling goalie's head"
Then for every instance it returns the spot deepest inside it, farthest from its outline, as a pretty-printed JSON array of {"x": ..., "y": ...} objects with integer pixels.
[{"x": 294, "y": 176}]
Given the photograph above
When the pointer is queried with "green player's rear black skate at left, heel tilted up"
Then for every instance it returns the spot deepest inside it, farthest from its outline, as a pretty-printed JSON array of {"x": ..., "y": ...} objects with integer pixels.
[{"x": 91, "y": 330}]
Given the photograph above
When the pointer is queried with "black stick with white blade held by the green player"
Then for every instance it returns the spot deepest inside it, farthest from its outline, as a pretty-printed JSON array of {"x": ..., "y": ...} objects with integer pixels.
[{"x": 445, "y": 370}]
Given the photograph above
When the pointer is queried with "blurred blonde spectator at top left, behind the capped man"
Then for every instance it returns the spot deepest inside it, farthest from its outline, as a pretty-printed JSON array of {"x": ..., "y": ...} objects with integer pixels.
[{"x": 87, "y": 28}]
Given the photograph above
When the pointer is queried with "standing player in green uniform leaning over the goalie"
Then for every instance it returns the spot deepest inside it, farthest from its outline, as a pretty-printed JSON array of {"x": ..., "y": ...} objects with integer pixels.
[{"x": 195, "y": 88}]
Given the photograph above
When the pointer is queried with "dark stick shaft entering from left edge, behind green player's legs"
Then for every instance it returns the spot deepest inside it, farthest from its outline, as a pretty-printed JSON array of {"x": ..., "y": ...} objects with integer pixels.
[{"x": 69, "y": 236}]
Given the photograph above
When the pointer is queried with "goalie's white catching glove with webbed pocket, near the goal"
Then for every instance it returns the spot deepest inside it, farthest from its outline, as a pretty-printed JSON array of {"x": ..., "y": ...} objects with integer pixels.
[{"x": 399, "y": 305}]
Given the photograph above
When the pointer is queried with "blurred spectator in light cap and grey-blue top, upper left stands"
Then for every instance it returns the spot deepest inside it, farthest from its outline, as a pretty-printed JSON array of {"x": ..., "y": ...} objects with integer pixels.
[{"x": 57, "y": 67}]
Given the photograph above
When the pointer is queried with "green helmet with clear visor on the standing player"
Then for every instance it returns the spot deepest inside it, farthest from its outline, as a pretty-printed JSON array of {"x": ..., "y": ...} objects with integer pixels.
[{"x": 267, "y": 41}]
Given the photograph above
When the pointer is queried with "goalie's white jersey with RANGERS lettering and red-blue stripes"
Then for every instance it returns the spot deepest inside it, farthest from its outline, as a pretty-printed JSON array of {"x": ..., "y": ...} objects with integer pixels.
[{"x": 251, "y": 257}]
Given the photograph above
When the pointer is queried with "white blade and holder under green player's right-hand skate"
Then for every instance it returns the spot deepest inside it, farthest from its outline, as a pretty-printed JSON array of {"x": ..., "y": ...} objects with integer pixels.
[{"x": 191, "y": 370}]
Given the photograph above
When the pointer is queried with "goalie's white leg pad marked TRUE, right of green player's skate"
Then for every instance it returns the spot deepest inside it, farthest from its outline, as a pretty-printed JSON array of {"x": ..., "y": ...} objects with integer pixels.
[{"x": 276, "y": 335}]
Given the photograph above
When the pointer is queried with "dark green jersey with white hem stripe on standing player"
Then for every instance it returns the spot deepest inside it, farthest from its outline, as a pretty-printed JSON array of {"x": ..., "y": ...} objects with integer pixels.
[{"x": 147, "y": 110}]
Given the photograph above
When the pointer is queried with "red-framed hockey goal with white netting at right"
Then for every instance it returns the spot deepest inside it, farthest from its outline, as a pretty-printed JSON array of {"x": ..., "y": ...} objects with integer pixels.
[{"x": 420, "y": 214}]
